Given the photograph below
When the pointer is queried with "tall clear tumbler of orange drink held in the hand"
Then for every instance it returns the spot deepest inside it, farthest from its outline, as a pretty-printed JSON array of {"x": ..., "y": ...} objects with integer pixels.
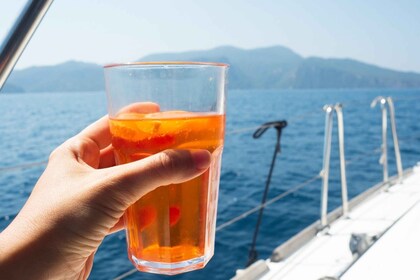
[{"x": 170, "y": 105}]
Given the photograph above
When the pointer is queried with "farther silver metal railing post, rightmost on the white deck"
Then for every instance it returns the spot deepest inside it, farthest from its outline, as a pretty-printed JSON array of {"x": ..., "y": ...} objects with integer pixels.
[{"x": 384, "y": 158}]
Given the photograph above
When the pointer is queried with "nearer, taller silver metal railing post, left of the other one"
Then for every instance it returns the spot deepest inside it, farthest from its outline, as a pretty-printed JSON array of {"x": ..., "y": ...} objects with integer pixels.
[{"x": 329, "y": 111}]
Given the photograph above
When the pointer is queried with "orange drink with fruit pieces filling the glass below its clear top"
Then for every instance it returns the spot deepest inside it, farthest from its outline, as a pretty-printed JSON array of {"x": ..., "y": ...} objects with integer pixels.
[{"x": 173, "y": 223}]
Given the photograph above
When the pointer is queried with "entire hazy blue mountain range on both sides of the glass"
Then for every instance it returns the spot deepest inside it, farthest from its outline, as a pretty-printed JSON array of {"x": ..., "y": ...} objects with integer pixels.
[{"x": 263, "y": 68}]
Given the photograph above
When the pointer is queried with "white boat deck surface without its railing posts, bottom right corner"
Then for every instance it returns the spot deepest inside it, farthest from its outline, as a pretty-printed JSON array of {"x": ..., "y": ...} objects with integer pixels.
[{"x": 388, "y": 225}]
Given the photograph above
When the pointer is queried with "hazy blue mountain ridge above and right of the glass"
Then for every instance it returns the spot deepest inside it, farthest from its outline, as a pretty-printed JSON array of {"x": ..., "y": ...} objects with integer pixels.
[{"x": 280, "y": 67}]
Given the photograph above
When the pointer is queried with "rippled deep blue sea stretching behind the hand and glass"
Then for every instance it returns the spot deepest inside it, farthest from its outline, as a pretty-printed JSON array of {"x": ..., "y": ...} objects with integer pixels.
[{"x": 33, "y": 124}]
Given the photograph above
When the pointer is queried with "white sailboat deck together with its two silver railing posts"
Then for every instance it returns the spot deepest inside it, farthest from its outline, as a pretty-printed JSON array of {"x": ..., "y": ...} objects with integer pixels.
[{"x": 374, "y": 236}]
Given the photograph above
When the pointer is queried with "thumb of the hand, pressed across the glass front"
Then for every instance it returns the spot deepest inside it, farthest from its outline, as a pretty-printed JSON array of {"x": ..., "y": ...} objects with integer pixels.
[{"x": 129, "y": 182}]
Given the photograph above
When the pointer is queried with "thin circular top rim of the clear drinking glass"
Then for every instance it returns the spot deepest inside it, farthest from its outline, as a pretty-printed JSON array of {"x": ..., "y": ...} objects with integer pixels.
[{"x": 166, "y": 63}]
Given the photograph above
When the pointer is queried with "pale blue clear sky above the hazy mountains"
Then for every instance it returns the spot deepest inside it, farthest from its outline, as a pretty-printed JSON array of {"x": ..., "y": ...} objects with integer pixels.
[{"x": 382, "y": 32}]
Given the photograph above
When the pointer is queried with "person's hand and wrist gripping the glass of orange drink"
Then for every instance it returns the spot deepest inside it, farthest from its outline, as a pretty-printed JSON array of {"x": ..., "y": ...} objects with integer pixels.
[{"x": 79, "y": 199}]
